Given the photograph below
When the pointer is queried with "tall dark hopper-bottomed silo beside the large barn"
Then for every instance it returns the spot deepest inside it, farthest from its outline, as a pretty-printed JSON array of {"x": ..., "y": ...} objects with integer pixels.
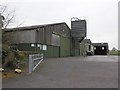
[{"x": 78, "y": 33}]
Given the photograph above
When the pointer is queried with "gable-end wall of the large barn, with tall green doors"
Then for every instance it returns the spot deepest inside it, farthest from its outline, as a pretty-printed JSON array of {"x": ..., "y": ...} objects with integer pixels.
[{"x": 57, "y": 40}]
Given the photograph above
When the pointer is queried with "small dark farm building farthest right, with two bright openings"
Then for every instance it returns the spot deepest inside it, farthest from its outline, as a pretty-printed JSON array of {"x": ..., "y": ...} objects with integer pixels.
[{"x": 101, "y": 48}]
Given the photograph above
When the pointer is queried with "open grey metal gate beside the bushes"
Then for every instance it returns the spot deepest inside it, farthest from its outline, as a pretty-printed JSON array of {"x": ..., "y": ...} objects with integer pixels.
[{"x": 34, "y": 61}]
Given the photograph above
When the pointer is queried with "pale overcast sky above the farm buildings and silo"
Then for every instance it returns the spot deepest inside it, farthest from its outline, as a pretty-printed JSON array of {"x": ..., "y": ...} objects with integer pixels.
[{"x": 101, "y": 15}]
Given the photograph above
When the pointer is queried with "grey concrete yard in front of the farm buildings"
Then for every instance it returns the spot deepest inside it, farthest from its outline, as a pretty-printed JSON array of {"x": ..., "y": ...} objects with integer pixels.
[{"x": 70, "y": 72}]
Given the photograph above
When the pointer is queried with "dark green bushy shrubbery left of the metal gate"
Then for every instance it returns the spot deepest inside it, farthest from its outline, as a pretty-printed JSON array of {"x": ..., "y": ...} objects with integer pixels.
[{"x": 13, "y": 58}]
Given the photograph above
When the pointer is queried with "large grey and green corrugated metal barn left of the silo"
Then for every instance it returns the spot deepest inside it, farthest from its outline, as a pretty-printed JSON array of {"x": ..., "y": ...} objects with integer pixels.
[{"x": 53, "y": 40}]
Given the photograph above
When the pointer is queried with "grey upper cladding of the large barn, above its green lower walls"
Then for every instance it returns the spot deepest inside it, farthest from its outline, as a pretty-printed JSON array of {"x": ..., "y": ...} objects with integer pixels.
[{"x": 43, "y": 35}]
